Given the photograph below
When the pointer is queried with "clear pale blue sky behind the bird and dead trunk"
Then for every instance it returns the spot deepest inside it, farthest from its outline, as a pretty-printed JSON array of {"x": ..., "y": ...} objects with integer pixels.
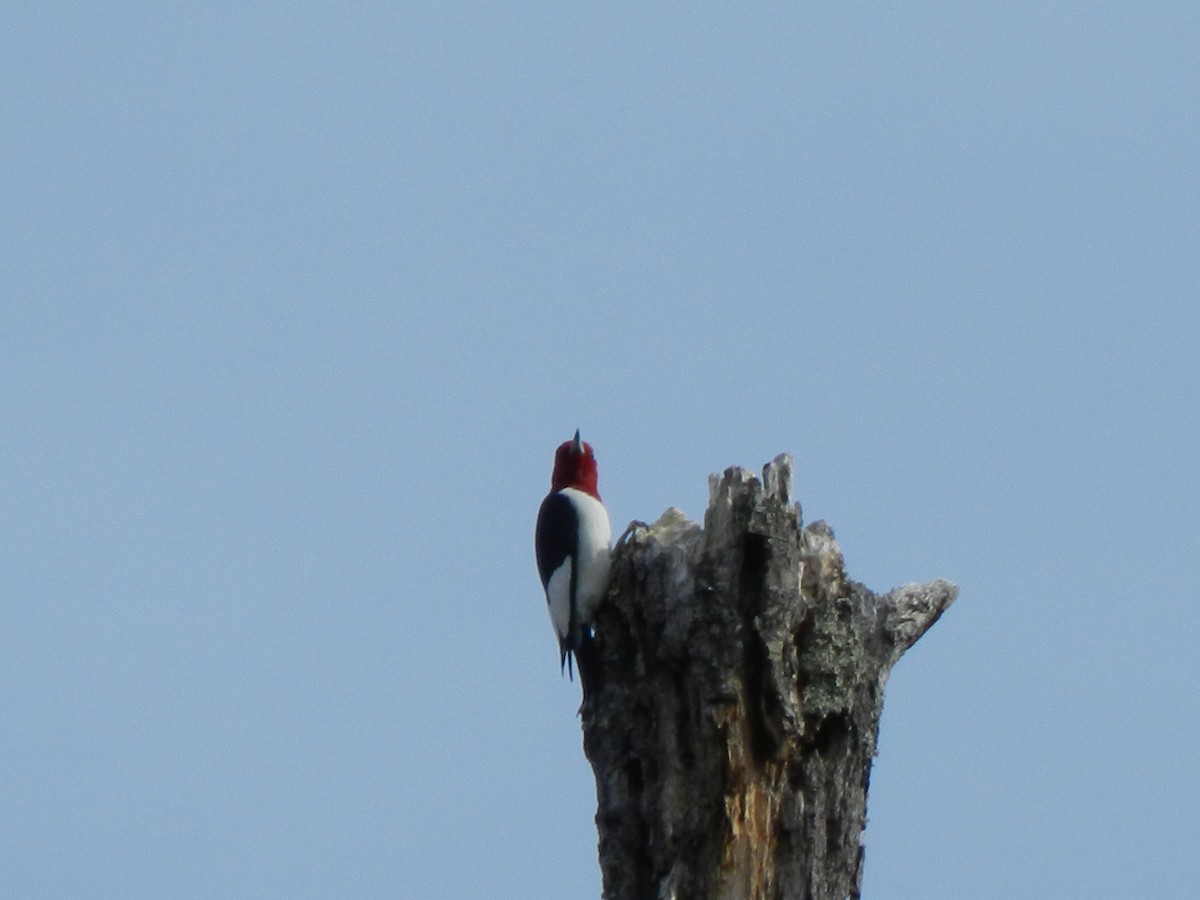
[{"x": 298, "y": 301}]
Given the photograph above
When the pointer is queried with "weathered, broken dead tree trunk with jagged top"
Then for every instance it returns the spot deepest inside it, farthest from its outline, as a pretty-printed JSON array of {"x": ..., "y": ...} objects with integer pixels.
[{"x": 735, "y": 691}]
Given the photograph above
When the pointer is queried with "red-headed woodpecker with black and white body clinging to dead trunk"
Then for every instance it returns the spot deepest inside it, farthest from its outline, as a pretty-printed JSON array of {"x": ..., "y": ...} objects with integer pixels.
[{"x": 573, "y": 548}]
